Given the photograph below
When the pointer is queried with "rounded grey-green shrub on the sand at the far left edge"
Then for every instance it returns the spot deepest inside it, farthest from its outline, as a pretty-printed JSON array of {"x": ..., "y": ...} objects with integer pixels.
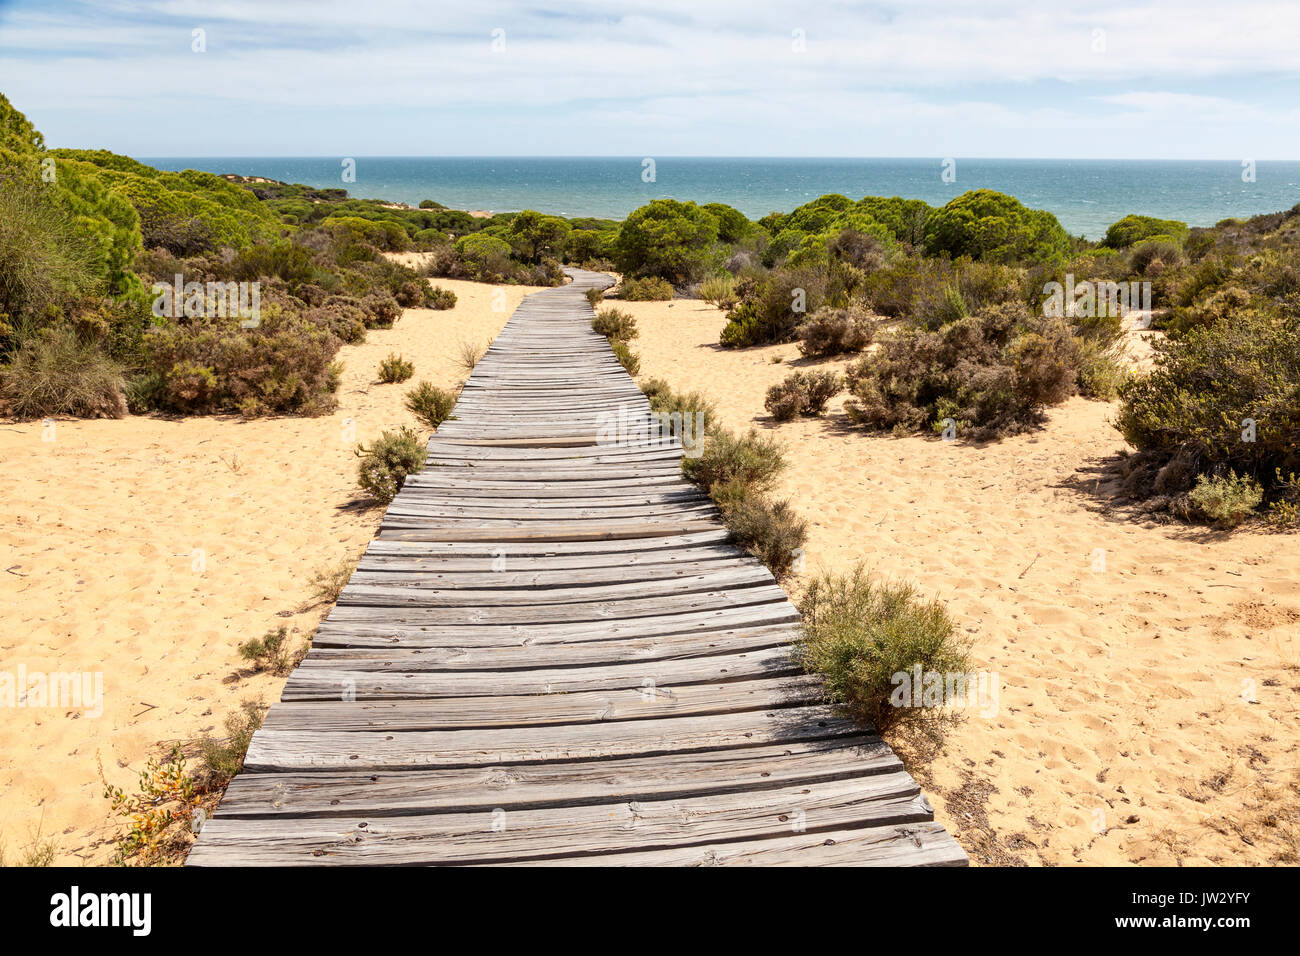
[{"x": 55, "y": 373}]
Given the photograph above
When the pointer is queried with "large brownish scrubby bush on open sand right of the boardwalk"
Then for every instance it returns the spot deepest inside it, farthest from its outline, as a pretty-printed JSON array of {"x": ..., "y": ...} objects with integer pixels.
[{"x": 990, "y": 374}]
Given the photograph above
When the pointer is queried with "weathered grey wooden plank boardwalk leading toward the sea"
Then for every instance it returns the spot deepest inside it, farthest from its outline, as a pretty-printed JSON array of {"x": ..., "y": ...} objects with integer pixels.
[{"x": 551, "y": 655}]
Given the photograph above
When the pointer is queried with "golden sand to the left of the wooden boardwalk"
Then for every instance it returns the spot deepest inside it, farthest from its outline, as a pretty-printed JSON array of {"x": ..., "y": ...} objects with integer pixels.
[{"x": 149, "y": 550}]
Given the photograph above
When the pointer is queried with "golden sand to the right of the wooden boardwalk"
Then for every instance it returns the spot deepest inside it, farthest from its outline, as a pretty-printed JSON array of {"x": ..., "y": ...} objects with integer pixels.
[{"x": 1150, "y": 674}]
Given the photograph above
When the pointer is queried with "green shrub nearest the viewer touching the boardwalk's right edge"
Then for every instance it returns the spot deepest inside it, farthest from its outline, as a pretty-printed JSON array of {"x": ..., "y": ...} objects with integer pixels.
[{"x": 860, "y": 634}]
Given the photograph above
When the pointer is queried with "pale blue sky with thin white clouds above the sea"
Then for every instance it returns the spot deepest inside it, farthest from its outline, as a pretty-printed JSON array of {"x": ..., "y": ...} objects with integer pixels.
[{"x": 1138, "y": 80}]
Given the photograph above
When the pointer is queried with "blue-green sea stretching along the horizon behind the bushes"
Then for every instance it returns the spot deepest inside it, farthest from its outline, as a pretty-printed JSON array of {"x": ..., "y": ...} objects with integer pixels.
[{"x": 1086, "y": 196}]
